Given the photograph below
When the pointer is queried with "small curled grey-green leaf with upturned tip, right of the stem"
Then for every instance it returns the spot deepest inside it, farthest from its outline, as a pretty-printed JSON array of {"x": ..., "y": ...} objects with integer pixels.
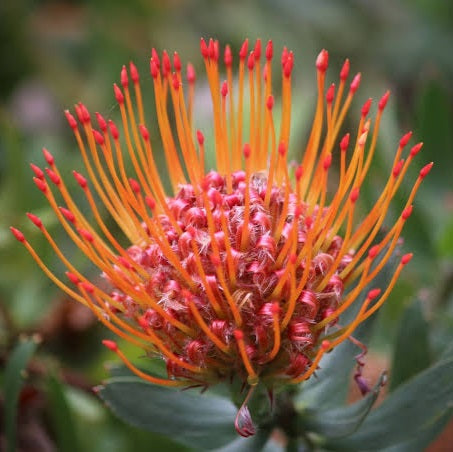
[{"x": 344, "y": 421}]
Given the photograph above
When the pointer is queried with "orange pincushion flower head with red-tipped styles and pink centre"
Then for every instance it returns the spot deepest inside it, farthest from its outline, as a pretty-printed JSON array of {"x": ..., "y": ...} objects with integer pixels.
[{"x": 242, "y": 271}]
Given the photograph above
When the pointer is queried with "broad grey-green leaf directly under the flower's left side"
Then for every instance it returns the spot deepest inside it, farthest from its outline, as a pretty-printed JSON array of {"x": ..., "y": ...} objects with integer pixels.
[{"x": 196, "y": 420}]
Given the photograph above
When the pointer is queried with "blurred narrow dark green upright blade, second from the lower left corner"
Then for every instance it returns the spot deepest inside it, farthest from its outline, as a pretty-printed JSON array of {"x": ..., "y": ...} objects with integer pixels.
[{"x": 62, "y": 419}]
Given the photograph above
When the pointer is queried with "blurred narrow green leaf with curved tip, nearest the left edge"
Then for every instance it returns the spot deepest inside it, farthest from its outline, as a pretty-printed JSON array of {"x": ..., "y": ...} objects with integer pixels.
[{"x": 14, "y": 375}]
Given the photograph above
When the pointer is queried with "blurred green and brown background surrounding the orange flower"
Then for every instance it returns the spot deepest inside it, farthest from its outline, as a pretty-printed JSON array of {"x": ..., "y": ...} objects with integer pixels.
[{"x": 55, "y": 53}]
